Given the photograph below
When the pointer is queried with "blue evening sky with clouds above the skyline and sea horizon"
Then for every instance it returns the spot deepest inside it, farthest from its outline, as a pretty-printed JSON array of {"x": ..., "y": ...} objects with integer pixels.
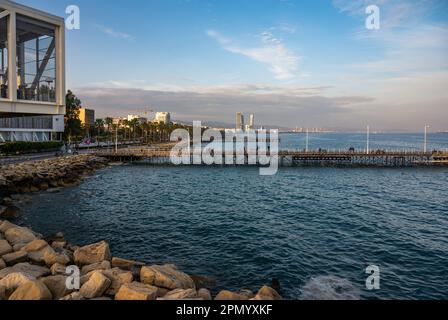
[{"x": 293, "y": 63}]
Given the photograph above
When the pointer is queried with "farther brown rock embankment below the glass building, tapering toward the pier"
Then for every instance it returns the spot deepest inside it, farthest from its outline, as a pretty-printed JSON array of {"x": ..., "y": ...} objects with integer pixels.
[{"x": 43, "y": 175}]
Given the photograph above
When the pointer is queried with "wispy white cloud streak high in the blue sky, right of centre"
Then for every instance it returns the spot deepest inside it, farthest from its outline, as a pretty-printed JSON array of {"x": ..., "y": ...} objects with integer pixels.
[{"x": 281, "y": 61}]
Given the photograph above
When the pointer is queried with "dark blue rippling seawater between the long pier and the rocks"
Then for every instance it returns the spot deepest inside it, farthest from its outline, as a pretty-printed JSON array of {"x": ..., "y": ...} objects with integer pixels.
[{"x": 244, "y": 229}]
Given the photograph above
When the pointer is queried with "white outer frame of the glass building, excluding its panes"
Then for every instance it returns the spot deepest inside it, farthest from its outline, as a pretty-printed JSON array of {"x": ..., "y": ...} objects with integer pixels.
[{"x": 14, "y": 105}]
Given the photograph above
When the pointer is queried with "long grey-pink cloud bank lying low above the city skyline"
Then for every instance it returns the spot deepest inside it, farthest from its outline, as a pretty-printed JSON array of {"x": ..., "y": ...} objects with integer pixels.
[{"x": 285, "y": 107}]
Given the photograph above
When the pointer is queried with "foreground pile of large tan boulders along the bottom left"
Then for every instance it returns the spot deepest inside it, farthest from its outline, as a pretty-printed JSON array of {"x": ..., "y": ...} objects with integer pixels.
[{"x": 33, "y": 267}]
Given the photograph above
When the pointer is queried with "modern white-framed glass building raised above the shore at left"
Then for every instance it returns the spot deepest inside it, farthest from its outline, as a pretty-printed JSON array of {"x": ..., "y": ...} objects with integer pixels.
[{"x": 32, "y": 74}]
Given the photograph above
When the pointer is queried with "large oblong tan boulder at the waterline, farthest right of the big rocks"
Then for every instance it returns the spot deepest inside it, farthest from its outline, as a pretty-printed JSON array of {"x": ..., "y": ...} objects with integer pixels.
[{"x": 166, "y": 276}]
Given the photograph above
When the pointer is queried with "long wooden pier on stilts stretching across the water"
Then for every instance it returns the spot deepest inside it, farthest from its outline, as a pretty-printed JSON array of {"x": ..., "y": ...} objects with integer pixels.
[{"x": 161, "y": 156}]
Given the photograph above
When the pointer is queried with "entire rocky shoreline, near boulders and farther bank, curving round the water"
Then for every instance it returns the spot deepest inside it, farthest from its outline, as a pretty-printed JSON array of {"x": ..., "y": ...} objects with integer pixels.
[{"x": 34, "y": 267}]
